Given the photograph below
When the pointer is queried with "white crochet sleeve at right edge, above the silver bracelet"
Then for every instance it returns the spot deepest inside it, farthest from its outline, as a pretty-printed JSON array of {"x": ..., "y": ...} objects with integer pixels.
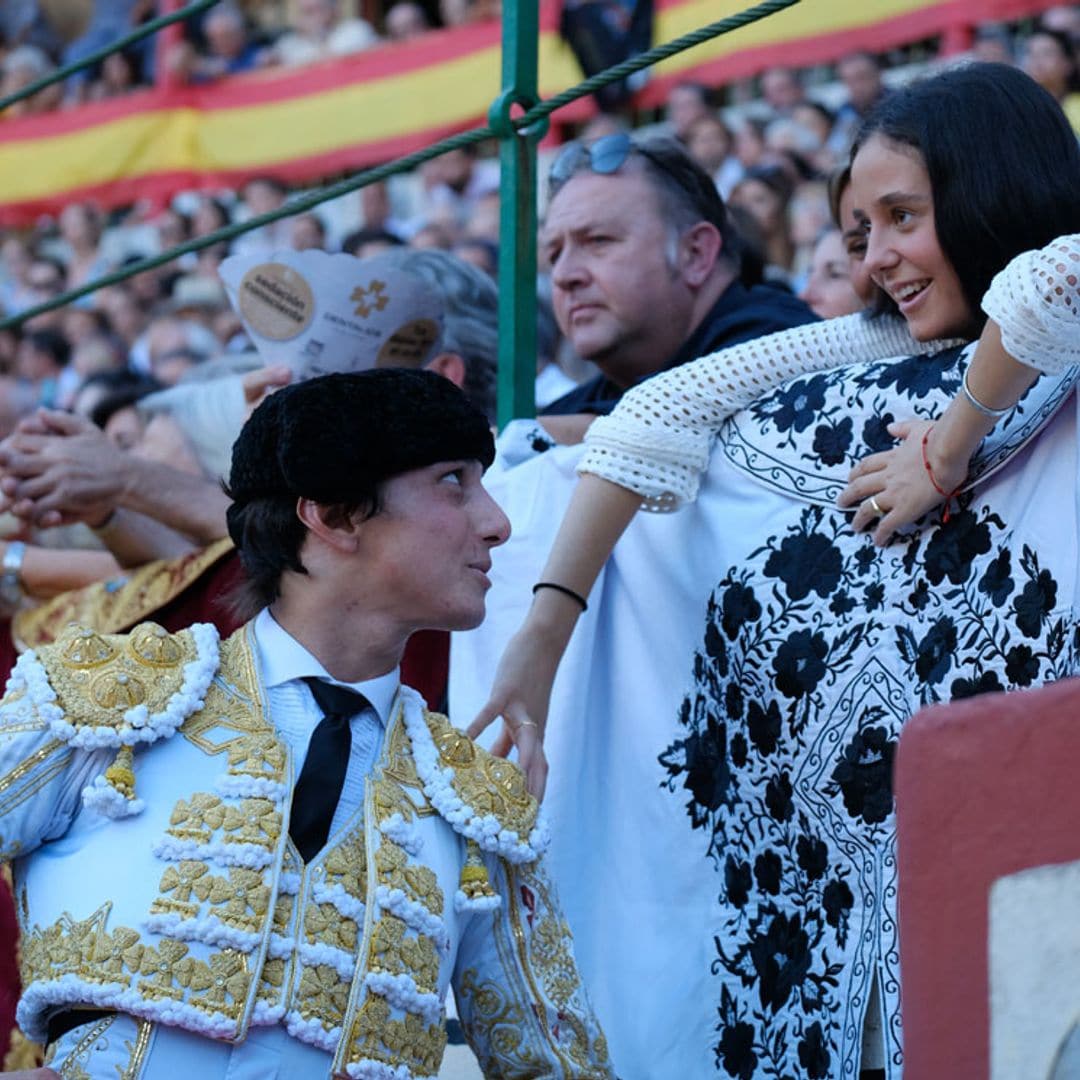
[{"x": 1036, "y": 302}]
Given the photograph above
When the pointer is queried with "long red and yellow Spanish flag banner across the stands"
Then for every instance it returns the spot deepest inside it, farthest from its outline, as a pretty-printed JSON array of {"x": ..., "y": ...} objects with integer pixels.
[{"x": 345, "y": 115}]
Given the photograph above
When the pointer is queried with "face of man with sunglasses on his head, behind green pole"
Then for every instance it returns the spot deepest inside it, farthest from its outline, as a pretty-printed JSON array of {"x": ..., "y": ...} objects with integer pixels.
[{"x": 617, "y": 296}]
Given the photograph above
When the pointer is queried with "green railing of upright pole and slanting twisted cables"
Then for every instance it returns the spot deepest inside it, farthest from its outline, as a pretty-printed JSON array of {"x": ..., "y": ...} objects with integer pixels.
[{"x": 518, "y": 118}]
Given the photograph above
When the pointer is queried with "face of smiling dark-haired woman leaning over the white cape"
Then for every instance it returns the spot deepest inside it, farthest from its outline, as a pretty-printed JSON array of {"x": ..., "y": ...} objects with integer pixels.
[{"x": 895, "y": 205}]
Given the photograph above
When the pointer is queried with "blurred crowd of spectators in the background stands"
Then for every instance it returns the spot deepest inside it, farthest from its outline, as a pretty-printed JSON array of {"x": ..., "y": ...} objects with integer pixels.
[{"x": 773, "y": 145}]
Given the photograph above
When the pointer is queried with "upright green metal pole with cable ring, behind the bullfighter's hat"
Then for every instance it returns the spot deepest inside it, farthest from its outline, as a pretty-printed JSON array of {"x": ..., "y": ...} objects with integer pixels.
[{"x": 518, "y": 211}]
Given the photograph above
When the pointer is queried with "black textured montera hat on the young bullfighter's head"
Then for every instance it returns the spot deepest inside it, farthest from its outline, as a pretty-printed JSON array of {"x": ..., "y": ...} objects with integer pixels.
[{"x": 329, "y": 438}]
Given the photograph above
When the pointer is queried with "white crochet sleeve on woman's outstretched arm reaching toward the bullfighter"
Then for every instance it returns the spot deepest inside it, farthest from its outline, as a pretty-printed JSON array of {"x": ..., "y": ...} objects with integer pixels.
[{"x": 657, "y": 440}]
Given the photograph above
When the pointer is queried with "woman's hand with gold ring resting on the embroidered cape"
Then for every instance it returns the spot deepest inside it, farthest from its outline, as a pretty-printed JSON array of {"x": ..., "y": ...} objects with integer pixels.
[{"x": 894, "y": 489}]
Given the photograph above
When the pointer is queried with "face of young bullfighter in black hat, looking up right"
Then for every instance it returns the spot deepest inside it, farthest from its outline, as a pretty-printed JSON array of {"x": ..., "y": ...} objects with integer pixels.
[{"x": 429, "y": 548}]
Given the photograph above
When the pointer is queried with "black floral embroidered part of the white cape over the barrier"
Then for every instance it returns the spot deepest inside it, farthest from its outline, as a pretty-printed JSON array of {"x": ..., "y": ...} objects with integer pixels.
[{"x": 817, "y": 649}]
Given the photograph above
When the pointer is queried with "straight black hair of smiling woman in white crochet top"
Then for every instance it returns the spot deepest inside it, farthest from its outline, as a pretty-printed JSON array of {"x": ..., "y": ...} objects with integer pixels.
[{"x": 1003, "y": 161}]
